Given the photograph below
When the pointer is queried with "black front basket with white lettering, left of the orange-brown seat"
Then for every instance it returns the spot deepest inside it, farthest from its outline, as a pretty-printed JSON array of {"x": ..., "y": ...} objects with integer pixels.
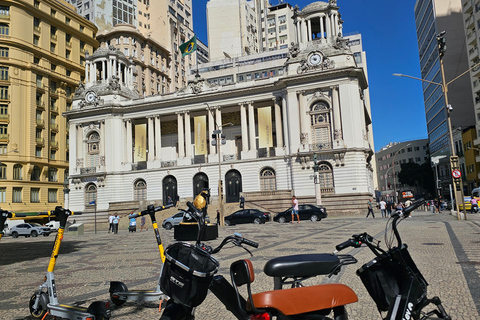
[{"x": 187, "y": 273}]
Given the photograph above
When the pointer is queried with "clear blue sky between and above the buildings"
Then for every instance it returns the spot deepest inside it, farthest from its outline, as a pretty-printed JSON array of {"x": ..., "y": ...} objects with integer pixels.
[{"x": 390, "y": 42}]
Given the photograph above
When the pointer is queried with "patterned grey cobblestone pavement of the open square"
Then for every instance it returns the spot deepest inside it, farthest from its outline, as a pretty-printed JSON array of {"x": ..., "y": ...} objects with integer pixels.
[{"x": 445, "y": 250}]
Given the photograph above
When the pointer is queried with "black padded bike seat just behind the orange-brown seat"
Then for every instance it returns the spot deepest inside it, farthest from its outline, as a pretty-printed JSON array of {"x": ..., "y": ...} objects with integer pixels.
[{"x": 301, "y": 265}]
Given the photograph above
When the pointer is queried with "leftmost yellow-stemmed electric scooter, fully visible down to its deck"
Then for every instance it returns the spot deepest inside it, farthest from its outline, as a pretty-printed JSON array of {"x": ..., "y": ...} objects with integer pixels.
[{"x": 45, "y": 300}]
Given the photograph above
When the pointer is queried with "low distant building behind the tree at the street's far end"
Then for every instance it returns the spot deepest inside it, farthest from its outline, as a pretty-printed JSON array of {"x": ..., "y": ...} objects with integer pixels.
[{"x": 389, "y": 160}]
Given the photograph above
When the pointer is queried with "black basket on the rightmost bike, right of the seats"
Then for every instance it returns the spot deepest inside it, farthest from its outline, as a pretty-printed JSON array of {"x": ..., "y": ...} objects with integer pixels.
[{"x": 391, "y": 274}]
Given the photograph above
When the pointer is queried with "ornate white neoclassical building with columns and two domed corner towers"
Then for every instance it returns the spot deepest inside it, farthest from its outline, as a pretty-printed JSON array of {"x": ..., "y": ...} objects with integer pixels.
[{"x": 309, "y": 103}]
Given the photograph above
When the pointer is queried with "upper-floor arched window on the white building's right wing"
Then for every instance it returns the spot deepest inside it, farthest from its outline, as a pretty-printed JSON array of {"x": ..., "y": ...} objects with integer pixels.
[{"x": 321, "y": 119}]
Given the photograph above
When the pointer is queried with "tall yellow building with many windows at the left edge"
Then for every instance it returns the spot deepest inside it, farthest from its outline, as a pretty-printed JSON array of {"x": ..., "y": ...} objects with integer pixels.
[{"x": 42, "y": 52}]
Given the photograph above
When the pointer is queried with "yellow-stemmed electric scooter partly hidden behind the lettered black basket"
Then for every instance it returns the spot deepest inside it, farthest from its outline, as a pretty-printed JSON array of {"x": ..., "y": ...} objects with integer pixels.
[{"x": 119, "y": 293}]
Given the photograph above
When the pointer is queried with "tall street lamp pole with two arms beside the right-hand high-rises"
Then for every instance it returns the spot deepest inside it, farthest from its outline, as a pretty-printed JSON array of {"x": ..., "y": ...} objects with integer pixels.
[{"x": 444, "y": 85}]
